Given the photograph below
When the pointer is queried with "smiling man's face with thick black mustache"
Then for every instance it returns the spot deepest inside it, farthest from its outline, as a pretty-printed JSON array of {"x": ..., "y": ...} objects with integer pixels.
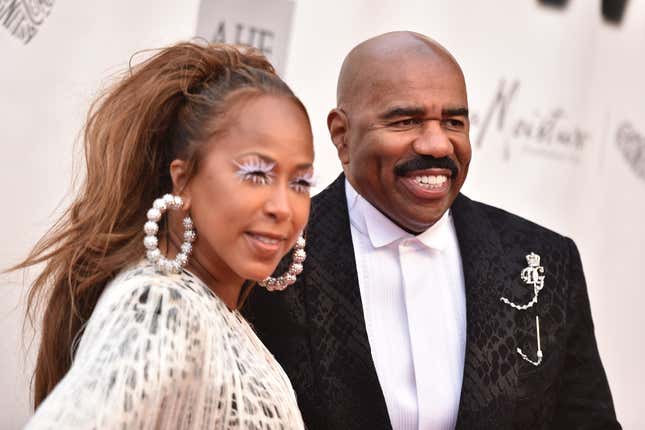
[{"x": 407, "y": 144}]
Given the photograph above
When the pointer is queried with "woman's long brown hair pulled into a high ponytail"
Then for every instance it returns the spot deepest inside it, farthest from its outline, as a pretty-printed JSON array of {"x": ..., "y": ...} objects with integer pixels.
[{"x": 163, "y": 109}]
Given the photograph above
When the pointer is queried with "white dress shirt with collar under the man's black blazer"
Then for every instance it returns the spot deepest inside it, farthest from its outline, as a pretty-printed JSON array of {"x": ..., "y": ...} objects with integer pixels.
[{"x": 412, "y": 289}]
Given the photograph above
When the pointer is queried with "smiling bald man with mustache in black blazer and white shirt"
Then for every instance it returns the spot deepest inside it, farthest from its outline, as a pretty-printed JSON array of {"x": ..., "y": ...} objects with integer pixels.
[{"x": 418, "y": 307}]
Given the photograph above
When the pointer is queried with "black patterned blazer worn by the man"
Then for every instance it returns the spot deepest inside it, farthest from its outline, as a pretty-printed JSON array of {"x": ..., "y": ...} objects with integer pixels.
[{"x": 316, "y": 328}]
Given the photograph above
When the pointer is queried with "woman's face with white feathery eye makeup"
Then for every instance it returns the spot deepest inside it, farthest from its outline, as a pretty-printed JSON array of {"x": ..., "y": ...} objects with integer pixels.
[{"x": 249, "y": 199}]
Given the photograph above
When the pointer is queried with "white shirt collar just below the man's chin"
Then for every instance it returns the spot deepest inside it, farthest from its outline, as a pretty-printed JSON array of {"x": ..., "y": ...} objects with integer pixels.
[{"x": 381, "y": 231}]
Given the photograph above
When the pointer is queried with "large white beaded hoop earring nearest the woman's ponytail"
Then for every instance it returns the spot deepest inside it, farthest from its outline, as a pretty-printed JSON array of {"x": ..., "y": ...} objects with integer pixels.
[{"x": 153, "y": 254}]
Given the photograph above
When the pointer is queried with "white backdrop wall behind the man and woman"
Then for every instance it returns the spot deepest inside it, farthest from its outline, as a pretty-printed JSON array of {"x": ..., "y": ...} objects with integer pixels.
[{"x": 558, "y": 132}]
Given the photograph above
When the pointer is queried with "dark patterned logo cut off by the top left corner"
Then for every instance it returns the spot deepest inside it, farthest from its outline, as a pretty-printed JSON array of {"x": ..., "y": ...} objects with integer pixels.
[{"x": 23, "y": 18}]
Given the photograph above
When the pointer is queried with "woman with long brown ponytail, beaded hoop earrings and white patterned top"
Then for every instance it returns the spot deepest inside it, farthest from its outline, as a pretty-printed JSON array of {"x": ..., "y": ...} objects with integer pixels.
[{"x": 199, "y": 164}]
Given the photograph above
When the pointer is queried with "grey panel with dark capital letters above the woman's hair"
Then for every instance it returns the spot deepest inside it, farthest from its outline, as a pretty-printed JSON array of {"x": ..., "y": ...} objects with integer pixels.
[{"x": 263, "y": 24}]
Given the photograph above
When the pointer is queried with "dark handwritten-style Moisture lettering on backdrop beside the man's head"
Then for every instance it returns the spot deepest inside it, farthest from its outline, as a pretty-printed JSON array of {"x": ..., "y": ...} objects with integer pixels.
[{"x": 542, "y": 131}]
